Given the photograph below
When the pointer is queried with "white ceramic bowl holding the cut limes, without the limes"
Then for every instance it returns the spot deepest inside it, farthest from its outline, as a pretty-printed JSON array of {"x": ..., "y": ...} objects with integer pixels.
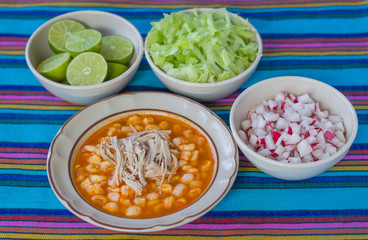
[{"x": 37, "y": 50}]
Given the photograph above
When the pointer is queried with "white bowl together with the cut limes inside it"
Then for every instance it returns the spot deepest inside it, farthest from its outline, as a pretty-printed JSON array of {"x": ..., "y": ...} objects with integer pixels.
[{"x": 84, "y": 56}]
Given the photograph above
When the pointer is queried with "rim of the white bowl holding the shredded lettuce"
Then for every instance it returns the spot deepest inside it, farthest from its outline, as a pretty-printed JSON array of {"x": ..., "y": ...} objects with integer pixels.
[{"x": 220, "y": 83}]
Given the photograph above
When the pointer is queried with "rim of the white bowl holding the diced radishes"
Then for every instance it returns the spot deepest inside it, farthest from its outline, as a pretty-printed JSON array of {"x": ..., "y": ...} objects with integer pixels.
[{"x": 248, "y": 150}]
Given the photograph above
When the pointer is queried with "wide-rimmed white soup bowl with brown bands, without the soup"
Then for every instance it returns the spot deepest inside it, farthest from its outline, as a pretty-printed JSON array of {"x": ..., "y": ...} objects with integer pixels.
[{"x": 79, "y": 126}]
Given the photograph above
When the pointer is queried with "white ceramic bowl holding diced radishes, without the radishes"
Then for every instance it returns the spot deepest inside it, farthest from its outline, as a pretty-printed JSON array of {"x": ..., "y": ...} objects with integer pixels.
[{"x": 328, "y": 98}]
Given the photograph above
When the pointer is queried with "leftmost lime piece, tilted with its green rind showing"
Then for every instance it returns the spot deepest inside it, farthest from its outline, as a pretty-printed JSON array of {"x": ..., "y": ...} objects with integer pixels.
[{"x": 54, "y": 67}]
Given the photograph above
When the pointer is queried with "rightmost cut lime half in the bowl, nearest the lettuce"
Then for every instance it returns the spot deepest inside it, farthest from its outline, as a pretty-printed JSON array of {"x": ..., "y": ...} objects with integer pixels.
[{"x": 117, "y": 49}]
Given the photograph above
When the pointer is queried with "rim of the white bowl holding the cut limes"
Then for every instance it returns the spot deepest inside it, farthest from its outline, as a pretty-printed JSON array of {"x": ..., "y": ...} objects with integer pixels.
[{"x": 46, "y": 24}]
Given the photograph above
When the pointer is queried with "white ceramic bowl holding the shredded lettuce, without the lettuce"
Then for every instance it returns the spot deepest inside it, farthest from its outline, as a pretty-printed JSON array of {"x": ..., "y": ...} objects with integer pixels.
[{"x": 207, "y": 91}]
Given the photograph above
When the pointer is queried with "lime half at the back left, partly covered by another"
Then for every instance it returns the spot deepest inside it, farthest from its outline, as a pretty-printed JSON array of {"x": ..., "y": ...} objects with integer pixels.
[{"x": 60, "y": 31}]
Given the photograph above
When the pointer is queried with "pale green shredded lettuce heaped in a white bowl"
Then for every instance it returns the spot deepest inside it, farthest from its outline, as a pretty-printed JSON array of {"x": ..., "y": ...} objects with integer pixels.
[{"x": 202, "y": 46}]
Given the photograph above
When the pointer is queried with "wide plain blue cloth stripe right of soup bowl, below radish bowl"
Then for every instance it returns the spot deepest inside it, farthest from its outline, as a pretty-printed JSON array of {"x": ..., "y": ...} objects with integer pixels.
[{"x": 292, "y": 199}]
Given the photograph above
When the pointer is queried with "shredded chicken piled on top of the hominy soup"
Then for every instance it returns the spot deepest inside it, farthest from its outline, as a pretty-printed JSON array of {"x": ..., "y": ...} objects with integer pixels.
[{"x": 142, "y": 155}]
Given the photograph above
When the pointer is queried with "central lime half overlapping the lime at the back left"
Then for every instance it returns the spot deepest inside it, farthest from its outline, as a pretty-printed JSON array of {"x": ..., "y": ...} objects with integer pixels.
[{"x": 88, "y": 40}]
